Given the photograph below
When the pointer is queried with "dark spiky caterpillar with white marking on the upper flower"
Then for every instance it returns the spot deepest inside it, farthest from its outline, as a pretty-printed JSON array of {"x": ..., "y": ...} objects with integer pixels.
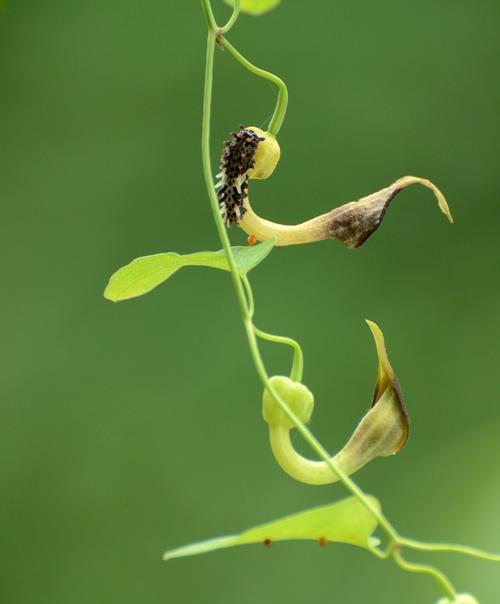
[{"x": 237, "y": 158}]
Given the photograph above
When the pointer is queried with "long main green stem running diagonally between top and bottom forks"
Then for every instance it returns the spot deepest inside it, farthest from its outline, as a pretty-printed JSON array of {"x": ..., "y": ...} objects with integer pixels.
[{"x": 245, "y": 311}]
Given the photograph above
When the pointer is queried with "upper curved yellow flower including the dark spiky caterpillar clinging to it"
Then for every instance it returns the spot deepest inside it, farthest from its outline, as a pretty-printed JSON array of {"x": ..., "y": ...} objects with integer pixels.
[{"x": 253, "y": 154}]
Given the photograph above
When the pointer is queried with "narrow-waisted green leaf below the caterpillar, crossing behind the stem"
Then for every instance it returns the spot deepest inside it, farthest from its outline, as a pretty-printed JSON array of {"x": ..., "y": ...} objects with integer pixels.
[{"x": 147, "y": 272}]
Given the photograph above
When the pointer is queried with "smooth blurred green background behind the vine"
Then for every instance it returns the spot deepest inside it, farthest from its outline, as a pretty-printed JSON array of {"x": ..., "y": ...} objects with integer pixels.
[{"x": 130, "y": 428}]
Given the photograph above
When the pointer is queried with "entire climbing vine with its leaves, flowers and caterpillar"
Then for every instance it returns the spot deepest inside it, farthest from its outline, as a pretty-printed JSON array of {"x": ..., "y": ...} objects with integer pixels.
[{"x": 252, "y": 153}]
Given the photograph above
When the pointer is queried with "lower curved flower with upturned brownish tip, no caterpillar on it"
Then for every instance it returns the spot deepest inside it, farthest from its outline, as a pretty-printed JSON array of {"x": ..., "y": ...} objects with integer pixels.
[{"x": 383, "y": 431}]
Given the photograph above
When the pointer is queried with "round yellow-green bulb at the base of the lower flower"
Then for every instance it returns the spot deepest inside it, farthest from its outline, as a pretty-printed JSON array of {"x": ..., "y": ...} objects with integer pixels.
[{"x": 297, "y": 396}]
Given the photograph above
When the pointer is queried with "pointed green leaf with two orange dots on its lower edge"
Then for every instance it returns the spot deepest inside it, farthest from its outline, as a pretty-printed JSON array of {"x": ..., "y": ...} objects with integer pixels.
[{"x": 347, "y": 521}]
